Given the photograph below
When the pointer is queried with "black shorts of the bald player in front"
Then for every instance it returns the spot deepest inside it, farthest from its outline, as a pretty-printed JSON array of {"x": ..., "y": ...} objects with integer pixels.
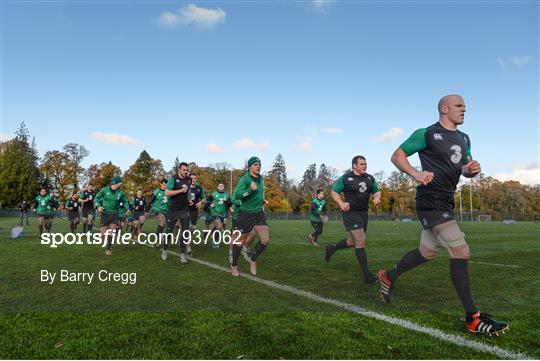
[{"x": 434, "y": 209}]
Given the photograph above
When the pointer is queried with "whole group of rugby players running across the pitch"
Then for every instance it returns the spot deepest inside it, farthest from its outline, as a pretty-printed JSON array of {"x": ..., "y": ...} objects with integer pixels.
[{"x": 445, "y": 156}]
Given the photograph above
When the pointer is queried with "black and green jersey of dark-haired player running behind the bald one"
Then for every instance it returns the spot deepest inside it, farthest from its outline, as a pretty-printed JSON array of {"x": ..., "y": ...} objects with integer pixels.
[{"x": 357, "y": 189}]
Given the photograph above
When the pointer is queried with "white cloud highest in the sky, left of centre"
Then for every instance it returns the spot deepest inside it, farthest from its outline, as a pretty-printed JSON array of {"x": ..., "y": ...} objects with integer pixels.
[{"x": 191, "y": 14}]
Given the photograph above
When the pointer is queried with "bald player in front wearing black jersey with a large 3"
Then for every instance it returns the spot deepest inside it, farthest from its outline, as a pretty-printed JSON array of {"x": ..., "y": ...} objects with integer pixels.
[{"x": 445, "y": 155}]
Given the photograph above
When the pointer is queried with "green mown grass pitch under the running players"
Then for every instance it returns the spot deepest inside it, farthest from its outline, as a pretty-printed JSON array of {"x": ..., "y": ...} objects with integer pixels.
[{"x": 195, "y": 311}]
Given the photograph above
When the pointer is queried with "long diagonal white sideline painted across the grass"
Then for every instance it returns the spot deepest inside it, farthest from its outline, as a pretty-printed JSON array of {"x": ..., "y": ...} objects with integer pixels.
[{"x": 436, "y": 333}]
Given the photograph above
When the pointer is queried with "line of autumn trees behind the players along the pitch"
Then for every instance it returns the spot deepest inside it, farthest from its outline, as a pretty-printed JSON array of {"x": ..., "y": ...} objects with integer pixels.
[{"x": 22, "y": 172}]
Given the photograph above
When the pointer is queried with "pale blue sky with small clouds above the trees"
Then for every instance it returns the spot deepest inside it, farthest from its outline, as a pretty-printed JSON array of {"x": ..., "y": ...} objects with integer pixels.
[{"x": 318, "y": 81}]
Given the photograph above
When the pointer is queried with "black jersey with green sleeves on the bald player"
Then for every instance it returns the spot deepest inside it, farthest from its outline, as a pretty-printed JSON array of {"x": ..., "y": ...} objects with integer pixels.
[{"x": 442, "y": 152}]
